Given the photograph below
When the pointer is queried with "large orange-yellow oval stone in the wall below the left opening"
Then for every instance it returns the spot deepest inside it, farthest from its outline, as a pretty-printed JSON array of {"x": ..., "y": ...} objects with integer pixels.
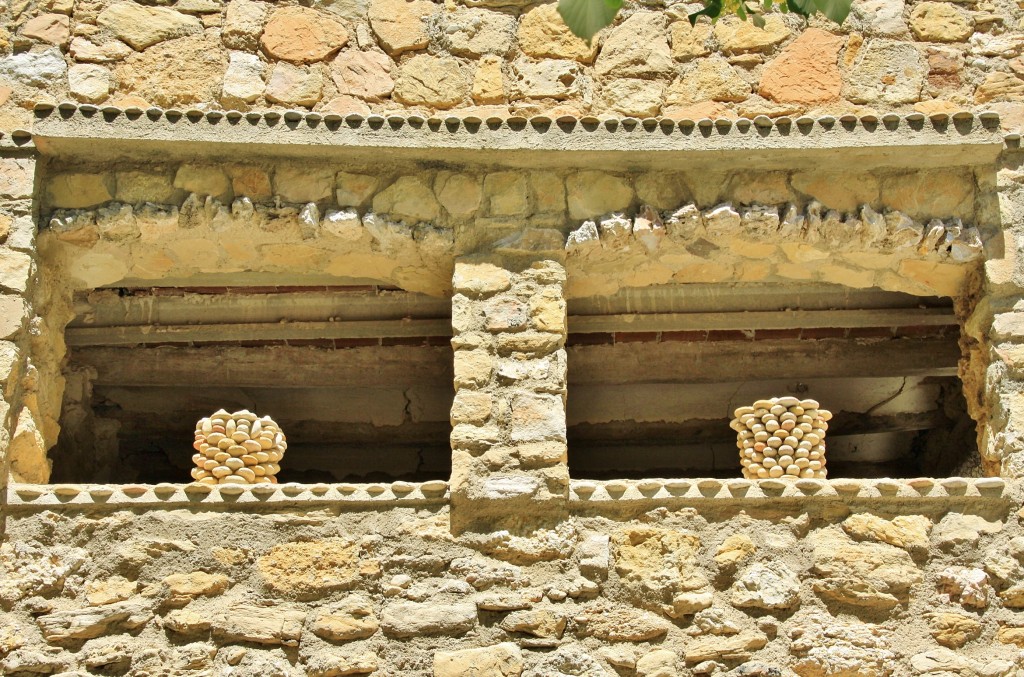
[{"x": 309, "y": 570}]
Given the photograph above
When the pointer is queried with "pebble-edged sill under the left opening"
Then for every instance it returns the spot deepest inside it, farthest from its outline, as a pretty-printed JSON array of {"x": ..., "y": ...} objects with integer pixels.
[{"x": 173, "y": 496}]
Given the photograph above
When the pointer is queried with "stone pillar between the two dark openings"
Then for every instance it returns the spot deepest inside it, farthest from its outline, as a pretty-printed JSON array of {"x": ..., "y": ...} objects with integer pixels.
[{"x": 508, "y": 436}]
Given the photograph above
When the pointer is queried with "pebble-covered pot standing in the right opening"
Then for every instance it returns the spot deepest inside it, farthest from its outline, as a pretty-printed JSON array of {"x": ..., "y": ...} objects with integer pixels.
[{"x": 782, "y": 438}]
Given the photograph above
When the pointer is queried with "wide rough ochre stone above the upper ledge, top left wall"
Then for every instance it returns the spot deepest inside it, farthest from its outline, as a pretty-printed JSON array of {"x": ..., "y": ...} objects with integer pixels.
[{"x": 176, "y": 73}]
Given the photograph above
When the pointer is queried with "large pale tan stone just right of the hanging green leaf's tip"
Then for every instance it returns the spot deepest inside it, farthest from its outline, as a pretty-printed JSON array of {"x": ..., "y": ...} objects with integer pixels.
[{"x": 637, "y": 49}]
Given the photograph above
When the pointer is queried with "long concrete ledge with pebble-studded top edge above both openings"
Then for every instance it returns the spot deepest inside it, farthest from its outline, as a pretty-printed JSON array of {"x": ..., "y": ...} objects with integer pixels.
[{"x": 111, "y": 134}]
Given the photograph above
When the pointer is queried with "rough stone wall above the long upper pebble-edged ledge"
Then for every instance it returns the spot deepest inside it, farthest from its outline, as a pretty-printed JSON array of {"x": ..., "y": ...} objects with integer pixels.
[{"x": 501, "y": 57}]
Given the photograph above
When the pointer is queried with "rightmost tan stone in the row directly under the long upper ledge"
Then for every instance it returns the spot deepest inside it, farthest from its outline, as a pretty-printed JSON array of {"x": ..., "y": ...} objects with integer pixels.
[{"x": 930, "y": 195}]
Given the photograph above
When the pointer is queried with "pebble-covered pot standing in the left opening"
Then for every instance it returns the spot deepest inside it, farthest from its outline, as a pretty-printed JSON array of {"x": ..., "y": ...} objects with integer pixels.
[{"x": 238, "y": 448}]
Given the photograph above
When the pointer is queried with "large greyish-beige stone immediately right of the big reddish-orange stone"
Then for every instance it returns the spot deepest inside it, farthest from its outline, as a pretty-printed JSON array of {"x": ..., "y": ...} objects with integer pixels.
[{"x": 885, "y": 72}]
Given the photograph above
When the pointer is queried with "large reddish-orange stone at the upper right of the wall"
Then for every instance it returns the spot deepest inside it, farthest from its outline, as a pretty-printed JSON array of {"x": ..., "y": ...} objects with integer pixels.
[{"x": 806, "y": 72}]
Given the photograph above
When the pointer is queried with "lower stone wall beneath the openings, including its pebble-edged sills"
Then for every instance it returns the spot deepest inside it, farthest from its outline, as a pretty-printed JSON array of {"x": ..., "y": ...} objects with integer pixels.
[{"x": 652, "y": 578}]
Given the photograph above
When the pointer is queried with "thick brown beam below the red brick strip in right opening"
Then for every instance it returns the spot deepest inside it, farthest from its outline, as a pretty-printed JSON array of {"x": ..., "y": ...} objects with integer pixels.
[{"x": 680, "y": 362}]
